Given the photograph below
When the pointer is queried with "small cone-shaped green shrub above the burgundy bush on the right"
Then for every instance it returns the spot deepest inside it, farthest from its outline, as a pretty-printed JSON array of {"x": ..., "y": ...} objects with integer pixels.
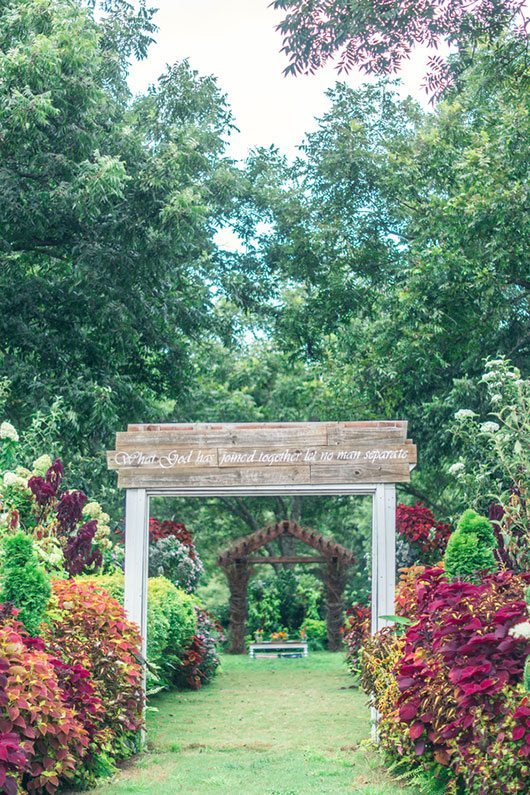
[{"x": 470, "y": 548}]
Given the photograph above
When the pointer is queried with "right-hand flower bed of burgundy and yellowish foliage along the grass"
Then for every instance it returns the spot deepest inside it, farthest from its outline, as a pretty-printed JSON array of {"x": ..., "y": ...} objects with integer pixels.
[{"x": 450, "y": 690}]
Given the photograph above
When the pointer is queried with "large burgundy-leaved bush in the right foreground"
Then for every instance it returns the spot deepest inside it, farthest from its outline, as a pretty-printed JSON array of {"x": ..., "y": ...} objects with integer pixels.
[{"x": 460, "y": 659}]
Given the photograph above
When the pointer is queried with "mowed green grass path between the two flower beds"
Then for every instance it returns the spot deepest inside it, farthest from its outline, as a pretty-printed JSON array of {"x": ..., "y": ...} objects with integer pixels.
[{"x": 263, "y": 727}]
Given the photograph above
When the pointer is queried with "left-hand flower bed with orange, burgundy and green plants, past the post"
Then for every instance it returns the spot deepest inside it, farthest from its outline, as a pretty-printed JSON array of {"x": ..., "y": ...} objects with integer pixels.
[{"x": 71, "y": 674}]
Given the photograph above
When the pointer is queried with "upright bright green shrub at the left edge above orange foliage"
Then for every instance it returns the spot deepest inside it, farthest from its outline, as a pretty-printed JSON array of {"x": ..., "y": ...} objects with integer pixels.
[{"x": 24, "y": 582}]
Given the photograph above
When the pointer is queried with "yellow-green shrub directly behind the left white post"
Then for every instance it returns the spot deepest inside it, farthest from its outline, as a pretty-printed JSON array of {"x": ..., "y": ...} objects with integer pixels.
[{"x": 171, "y": 621}]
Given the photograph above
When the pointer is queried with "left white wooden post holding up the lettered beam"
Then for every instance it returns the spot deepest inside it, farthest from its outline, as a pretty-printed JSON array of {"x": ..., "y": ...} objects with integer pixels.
[{"x": 137, "y": 559}]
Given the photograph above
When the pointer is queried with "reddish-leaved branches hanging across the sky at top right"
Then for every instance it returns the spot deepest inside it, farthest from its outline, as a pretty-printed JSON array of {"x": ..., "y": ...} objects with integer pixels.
[{"x": 377, "y": 36}]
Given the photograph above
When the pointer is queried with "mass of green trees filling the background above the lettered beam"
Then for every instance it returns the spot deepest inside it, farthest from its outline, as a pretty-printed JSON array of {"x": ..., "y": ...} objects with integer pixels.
[{"x": 375, "y": 272}]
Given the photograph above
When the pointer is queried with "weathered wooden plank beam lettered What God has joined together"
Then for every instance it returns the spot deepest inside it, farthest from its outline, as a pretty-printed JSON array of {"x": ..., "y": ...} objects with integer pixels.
[{"x": 262, "y": 454}]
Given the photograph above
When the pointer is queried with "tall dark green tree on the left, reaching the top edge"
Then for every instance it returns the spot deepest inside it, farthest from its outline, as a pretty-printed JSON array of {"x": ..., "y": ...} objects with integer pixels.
[{"x": 110, "y": 204}]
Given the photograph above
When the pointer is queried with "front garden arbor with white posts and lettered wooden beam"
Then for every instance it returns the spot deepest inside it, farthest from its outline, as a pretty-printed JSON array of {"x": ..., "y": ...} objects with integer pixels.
[{"x": 366, "y": 458}]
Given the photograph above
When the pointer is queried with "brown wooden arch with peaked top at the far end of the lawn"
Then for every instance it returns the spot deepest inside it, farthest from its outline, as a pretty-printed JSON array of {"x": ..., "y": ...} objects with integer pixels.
[{"x": 237, "y": 564}]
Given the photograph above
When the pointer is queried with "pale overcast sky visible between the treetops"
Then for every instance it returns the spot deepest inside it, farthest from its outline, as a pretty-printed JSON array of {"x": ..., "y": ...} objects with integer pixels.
[{"x": 236, "y": 41}]
